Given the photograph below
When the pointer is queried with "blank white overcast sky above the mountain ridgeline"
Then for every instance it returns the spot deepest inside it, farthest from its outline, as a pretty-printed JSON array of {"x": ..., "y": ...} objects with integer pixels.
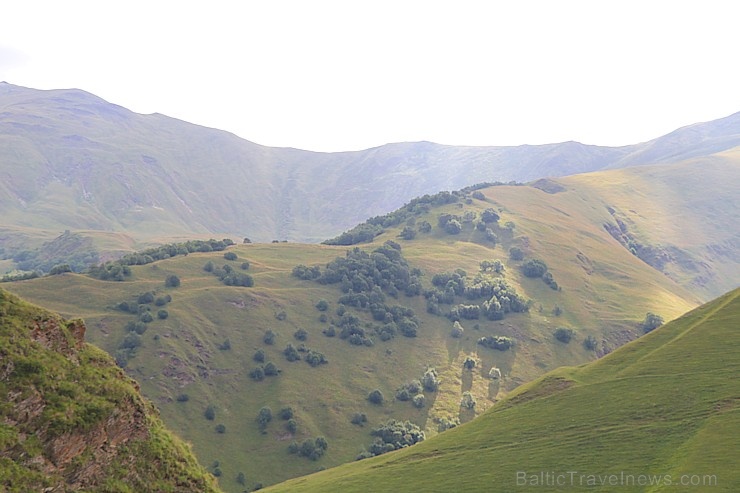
[{"x": 349, "y": 75}]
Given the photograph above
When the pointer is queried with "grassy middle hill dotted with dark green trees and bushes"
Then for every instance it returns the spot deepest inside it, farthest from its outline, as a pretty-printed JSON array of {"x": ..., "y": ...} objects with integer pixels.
[{"x": 201, "y": 354}]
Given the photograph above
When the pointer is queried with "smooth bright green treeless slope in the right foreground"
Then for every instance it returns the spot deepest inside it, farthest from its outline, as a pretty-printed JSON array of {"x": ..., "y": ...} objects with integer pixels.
[{"x": 659, "y": 414}]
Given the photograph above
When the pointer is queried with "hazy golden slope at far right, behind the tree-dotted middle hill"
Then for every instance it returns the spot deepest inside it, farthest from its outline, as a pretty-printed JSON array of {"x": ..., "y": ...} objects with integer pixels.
[{"x": 683, "y": 217}]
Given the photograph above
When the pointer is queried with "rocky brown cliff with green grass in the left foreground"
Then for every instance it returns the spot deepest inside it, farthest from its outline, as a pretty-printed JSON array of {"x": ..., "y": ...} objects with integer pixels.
[{"x": 71, "y": 420}]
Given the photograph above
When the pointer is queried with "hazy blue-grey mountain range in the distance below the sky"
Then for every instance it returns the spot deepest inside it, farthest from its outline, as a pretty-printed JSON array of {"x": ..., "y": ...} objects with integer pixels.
[{"x": 72, "y": 161}]
